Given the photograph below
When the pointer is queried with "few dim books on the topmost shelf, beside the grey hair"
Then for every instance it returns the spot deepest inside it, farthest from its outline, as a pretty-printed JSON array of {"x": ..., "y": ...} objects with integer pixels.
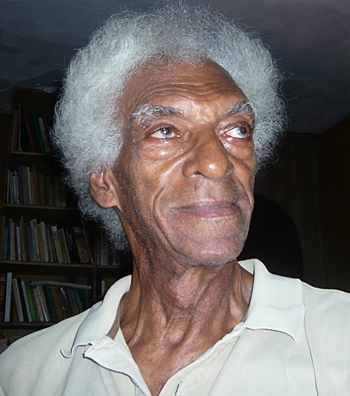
[{"x": 30, "y": 132}]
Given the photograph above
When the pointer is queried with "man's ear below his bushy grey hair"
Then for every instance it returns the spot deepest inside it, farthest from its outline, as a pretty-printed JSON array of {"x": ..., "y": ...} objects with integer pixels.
[{"x": 103, "y": 187}]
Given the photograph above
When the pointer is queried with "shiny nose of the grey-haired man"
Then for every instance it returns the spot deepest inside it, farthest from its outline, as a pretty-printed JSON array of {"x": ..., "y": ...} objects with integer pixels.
[{"x": 208, "y": 157}]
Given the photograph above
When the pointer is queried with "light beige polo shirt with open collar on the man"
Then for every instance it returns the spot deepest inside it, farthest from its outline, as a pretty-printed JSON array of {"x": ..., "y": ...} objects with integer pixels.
[{"x": 294, "y": 341}]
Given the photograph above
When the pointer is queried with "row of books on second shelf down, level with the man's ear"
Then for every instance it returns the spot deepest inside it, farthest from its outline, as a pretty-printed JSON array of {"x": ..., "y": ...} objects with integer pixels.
[{"x": 25, "y": 186}]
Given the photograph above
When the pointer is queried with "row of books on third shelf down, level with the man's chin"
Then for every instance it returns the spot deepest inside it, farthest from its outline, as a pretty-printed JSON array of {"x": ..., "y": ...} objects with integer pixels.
[{"x": 40, "y": 242}]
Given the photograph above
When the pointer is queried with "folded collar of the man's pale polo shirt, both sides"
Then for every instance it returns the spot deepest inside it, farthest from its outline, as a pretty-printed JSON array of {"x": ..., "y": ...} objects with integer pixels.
[{"x": 276, "y": 304}]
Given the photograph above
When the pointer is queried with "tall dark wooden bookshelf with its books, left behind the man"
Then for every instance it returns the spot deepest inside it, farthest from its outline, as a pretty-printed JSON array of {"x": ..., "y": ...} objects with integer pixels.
[{"x": 37, "y": 211}]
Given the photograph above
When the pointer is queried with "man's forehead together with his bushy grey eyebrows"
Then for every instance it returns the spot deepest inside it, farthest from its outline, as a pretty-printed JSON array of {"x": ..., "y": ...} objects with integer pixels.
[{"x": 198, "y": 81}]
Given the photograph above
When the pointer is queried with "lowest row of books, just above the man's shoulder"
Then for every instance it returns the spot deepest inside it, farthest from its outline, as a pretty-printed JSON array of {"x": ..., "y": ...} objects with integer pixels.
[{"x": 40, "y": 301}]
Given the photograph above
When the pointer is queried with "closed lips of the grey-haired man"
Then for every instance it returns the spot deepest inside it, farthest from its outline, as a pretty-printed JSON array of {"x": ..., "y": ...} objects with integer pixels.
[{"x": 209, "y": 209}]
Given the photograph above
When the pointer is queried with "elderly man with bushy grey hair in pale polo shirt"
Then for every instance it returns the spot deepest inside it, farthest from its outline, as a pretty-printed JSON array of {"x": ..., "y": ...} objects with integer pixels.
[{"x": 164, "y": 119}]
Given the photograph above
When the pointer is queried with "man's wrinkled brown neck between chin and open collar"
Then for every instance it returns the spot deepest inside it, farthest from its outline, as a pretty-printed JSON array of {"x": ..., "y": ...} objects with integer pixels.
[{"x": 171, "y": 307}]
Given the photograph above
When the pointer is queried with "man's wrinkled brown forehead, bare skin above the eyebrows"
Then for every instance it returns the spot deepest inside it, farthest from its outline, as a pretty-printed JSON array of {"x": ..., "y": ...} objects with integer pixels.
[{"x": 202, "y": 81}]
